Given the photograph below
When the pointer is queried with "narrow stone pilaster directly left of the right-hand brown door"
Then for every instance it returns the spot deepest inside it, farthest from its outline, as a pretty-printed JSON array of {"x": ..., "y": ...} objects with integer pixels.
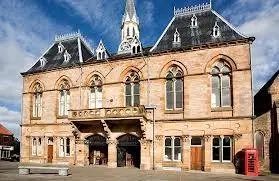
[{"x": 186, "y": 151}]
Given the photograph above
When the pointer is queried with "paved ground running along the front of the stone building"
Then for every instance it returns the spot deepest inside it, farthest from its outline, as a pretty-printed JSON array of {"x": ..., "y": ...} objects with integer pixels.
[{"x": 9, "y": 172}]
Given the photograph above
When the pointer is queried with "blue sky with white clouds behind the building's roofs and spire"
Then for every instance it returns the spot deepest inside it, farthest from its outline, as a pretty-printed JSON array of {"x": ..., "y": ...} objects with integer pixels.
[{"x": 28, "y": 27}]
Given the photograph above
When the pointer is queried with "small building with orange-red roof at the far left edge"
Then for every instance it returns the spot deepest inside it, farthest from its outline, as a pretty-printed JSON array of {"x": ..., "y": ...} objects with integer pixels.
[{"x": 6, "y": 142}]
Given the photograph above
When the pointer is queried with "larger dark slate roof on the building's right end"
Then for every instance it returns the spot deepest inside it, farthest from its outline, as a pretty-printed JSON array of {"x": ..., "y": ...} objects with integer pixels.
[{"x": 202, "y": 34}]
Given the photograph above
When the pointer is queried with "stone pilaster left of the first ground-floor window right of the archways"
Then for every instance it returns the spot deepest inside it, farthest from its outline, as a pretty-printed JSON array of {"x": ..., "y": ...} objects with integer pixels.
[{"x": 159, "y": 152}]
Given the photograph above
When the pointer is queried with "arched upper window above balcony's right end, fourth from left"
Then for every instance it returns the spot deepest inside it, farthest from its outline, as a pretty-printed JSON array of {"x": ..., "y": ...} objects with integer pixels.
[{"x": 132, "y": 89}]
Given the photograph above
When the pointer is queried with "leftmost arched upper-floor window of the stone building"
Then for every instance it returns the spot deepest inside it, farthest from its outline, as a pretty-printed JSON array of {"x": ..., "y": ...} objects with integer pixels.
[{"x": 37, "y": 101}]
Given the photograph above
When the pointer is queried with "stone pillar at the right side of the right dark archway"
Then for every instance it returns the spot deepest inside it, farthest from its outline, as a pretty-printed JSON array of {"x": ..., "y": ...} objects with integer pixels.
[{"x": 145, "y": 157}]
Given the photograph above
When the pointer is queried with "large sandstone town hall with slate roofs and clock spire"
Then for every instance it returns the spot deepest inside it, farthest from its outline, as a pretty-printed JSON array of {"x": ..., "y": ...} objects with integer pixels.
[{"x": 184, "y": 103}]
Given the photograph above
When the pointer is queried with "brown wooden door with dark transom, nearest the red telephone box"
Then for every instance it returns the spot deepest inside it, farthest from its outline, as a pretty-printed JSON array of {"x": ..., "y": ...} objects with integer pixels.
[{"x": 196, "y": 153}]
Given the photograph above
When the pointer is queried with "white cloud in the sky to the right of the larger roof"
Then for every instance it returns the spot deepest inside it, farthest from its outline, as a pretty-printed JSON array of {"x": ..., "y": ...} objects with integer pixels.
[{"x": 260, "y": 19}]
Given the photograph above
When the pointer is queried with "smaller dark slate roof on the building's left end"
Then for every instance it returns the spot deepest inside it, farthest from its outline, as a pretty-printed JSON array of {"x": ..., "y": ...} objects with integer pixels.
[{"x": 54, "y": 59}]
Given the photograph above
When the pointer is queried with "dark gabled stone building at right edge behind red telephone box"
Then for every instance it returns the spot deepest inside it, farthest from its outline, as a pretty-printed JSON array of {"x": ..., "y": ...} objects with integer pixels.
[{"x": 266, "y": 137}]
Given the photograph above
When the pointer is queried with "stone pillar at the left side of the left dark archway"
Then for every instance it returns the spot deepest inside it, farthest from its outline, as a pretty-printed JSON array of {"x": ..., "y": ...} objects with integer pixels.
[{"x": 81, "y": 152}]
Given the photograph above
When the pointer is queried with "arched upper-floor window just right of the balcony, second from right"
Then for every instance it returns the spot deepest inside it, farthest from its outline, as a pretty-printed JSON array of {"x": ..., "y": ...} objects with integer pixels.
[{"x": 174, "y": 89}]
